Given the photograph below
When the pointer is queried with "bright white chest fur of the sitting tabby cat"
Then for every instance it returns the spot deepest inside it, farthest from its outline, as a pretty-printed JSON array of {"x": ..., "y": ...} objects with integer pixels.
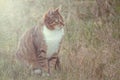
[{"x": 52, "y": 39}]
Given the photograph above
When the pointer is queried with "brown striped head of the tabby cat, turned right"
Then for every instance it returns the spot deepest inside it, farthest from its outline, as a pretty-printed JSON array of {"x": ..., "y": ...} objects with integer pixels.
[{"x": 53, "y": 19}]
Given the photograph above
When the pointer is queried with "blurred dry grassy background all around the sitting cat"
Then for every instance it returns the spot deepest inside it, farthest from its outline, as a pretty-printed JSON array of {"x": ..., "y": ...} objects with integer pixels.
[{"x": 91, "y": 46}]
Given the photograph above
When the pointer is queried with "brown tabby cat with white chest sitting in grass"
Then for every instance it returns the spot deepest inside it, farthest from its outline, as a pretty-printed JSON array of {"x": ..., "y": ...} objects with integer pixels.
[{"x": 39, "y": 47}]
